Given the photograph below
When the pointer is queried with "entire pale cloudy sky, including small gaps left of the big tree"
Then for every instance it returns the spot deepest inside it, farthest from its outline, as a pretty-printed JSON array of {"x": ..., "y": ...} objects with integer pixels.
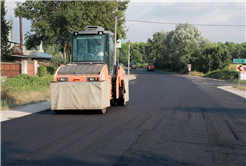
[{"x": 216, "y": 12}]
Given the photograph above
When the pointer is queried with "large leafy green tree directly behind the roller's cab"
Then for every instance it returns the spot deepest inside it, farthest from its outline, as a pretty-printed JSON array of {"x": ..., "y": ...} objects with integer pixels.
[{"x": 54, "y": 21}]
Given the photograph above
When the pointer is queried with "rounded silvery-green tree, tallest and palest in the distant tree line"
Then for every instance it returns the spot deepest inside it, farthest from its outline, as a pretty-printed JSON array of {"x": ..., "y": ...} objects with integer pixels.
[{"x": 183, "y": 46}]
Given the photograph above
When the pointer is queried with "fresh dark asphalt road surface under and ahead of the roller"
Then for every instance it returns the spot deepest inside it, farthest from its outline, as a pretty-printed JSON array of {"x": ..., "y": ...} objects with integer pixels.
[{"x": 170, "y": 120}]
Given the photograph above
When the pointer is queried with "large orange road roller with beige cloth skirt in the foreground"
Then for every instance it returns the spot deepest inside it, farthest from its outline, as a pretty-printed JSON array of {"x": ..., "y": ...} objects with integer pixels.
[{"x": 90, "y": 81}]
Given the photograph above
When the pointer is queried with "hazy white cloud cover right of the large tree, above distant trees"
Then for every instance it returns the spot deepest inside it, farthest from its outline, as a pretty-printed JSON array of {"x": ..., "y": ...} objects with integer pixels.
[{"x": 191, "y": 12}]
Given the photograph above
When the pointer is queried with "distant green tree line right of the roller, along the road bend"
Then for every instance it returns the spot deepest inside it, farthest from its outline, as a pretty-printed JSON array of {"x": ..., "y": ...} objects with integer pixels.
[{"x": 174, "y": 50}]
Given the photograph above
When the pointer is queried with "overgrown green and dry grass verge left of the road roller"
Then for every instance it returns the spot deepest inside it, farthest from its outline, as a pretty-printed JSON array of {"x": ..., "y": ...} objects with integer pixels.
[{"x": 24, "y": 89}]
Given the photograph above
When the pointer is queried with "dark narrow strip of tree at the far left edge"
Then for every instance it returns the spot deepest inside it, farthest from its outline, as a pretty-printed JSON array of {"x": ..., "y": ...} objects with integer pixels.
[{"x": 4, "y": 32}]
